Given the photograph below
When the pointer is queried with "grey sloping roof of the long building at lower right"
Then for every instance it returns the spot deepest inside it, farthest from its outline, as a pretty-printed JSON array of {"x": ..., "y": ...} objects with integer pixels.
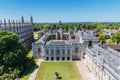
[{"x": 108, "y": 56}]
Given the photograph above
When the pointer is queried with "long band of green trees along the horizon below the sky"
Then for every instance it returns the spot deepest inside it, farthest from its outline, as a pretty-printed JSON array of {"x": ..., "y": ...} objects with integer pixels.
[{"x": 83, "y": 25}]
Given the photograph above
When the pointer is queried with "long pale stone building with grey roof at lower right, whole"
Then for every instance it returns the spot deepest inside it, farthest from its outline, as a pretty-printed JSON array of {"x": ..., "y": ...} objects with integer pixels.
[{"x": 103, "y": 62}]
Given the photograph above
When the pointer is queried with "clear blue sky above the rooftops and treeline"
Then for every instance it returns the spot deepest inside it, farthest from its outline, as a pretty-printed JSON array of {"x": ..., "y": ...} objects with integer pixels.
[{"x": 64, "y": 10}]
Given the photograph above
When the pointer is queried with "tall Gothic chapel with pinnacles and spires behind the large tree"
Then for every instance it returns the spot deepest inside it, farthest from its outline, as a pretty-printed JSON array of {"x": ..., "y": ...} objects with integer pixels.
[{"x": 22, "y": 28}]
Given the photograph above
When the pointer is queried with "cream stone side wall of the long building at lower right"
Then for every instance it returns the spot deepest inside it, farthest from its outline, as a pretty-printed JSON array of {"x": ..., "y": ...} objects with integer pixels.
[{"x": 100, "y": 70}]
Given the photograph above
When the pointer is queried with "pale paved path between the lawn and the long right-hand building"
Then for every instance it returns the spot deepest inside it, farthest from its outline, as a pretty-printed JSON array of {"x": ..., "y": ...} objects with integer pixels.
[{"x": 82, "y": 69}]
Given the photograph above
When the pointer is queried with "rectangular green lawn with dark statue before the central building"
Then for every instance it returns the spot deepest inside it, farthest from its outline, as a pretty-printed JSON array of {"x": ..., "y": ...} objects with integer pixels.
[{"x": 67, "y": 70}]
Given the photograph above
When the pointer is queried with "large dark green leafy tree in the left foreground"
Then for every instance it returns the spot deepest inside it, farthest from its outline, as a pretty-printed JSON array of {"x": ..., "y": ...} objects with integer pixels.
[{"x": 13, "y": 60}]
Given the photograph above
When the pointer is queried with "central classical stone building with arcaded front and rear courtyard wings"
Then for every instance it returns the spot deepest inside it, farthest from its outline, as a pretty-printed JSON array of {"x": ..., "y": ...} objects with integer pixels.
[{"x": 57, "y": 45}]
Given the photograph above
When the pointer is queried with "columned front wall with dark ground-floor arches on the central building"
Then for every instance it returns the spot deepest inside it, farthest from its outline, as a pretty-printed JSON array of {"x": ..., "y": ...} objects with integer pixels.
[{"x": 57, "y": 53}]
